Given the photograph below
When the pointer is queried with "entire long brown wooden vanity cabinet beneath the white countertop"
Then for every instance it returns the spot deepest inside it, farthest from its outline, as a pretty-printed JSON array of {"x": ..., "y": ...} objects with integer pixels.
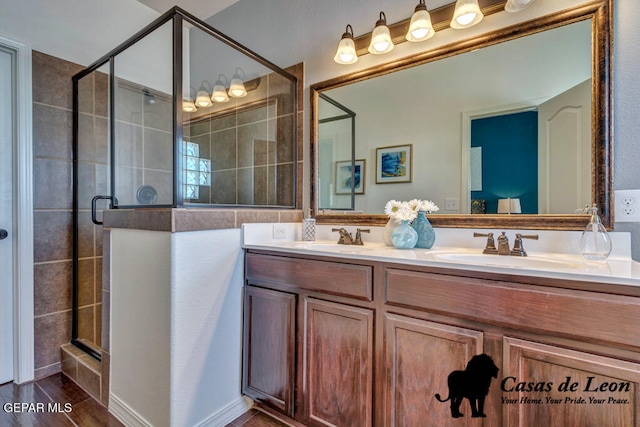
[{"x": 374, "y": 350}]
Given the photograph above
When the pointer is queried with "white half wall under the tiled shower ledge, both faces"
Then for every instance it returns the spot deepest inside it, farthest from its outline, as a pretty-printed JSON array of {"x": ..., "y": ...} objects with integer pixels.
[{"x": 176, "y": 327}]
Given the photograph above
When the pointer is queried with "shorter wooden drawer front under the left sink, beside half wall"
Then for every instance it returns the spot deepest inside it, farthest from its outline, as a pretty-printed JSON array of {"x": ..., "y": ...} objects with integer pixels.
[{"x": 354, "y": 281}]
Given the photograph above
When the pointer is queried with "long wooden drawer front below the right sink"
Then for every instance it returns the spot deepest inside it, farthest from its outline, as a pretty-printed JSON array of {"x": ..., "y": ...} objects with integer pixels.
[{"x": 592, "y": 316}]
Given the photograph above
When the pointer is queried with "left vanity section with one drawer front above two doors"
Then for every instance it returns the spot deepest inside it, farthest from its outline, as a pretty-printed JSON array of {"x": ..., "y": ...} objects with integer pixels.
[{"x": 308, "y": 339}]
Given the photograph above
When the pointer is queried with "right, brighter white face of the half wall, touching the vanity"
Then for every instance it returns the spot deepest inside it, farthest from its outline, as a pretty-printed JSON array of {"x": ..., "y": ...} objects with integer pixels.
[{"x": 206, "y": 345}]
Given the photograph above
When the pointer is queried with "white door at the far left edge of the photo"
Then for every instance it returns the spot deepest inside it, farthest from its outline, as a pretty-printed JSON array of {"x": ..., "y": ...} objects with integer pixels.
[{"x": 6, "y": 217}]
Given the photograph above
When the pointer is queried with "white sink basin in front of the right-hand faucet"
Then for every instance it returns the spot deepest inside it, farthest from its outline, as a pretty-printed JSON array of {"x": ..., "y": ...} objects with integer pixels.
[{"x": 533, "y": 262}]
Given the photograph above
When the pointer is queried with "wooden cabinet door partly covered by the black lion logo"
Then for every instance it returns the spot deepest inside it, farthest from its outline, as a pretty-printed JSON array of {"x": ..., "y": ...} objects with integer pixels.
[{"x": 419, "y": 357}]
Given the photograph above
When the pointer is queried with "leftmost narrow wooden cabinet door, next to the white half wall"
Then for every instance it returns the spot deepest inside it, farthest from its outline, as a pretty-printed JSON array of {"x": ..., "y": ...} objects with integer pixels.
[{"x": 269, "y": 346}]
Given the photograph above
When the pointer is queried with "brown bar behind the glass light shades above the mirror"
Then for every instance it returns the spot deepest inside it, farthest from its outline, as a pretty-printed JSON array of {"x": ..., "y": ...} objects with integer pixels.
[{"x": 440, "y": 19}]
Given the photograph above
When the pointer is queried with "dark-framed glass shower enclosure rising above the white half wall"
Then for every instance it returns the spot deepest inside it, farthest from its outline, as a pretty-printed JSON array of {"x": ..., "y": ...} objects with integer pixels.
[{"x": 178, "y": 116}]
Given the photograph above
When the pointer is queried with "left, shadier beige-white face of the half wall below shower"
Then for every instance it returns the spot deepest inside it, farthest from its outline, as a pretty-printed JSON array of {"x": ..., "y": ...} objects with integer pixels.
[{"x": 140, "y": 325}]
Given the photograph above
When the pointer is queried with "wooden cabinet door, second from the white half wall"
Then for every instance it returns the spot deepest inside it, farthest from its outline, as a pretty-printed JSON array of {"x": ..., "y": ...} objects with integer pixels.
[{"x": 339, "y": 364}]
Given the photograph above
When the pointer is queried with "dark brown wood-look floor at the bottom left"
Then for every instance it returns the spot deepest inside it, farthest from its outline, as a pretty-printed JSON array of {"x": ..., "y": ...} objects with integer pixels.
[{"x": 34, "y": 405}]
